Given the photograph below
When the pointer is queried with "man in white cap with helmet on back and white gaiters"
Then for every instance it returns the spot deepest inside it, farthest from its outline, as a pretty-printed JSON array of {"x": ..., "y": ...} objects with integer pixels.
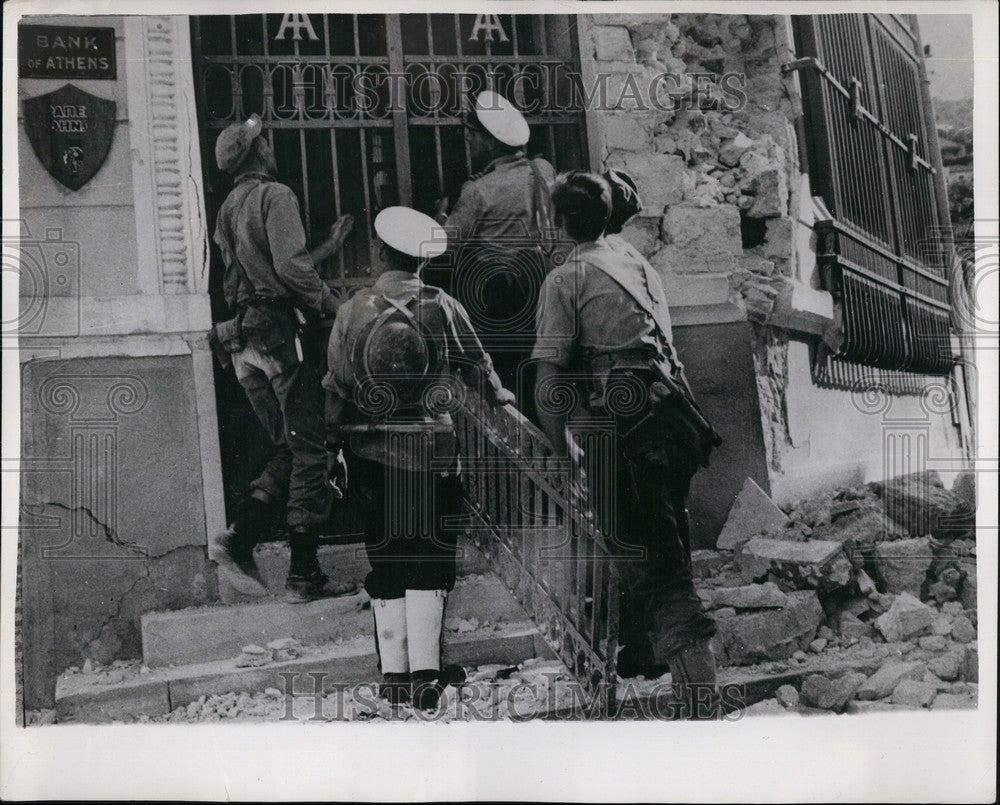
[{"x": 392, "y": 349}]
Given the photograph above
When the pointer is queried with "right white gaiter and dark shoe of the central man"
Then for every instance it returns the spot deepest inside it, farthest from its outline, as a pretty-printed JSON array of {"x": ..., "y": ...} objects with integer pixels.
[{"x": 424, "y": 619}]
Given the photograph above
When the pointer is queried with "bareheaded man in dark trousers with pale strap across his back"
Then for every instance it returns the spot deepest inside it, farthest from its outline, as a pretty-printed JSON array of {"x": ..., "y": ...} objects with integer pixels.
[{"x": 603, "y": 313}]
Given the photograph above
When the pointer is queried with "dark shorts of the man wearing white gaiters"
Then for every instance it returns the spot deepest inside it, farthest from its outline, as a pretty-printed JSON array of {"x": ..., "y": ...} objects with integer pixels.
[{"x": 408, "y": 542}]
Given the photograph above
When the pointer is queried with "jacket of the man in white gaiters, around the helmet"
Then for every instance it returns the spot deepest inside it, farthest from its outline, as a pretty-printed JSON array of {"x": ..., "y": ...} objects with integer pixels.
[{"x": 461, "y": 350}]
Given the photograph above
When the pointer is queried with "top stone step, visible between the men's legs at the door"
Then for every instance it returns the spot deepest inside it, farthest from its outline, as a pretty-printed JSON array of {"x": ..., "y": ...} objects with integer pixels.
[{"x": 339, "y": 562}]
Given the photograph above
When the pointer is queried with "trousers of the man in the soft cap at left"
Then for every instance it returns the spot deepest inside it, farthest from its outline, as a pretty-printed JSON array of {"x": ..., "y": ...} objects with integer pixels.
[{"x": 287, "y": 398}]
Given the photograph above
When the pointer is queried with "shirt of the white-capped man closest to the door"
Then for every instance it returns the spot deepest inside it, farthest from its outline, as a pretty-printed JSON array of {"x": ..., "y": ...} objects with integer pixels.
[{"x": 499, "y": 204}]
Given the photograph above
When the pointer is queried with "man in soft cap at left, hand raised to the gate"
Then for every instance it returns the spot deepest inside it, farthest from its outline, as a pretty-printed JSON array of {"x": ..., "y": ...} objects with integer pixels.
[{"x": 272, "y": 284}]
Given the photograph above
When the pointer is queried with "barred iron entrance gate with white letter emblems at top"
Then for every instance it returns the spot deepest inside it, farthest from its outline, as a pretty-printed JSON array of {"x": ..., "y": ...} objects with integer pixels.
[{"x": 364, "y": 111}]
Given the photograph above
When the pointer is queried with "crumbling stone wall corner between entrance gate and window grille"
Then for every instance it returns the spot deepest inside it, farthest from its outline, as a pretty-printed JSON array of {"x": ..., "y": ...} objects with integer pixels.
[{"x": 728, "y": 224}]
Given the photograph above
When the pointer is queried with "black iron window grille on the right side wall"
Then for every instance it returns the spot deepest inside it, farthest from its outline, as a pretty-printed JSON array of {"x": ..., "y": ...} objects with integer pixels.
[{"x": 867, "y": 152}]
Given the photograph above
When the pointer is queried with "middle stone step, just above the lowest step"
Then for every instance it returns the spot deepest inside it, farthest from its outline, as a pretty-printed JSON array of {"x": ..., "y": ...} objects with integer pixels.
[{"x": 201, "y": 634}]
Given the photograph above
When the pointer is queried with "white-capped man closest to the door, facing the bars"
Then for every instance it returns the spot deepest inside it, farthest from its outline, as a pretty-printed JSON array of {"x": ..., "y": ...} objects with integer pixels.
[{"x": 500, "y": 226}]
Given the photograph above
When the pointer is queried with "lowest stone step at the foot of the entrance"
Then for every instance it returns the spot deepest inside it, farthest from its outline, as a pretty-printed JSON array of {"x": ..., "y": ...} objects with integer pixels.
[{"x": 119, "y": 695}]
